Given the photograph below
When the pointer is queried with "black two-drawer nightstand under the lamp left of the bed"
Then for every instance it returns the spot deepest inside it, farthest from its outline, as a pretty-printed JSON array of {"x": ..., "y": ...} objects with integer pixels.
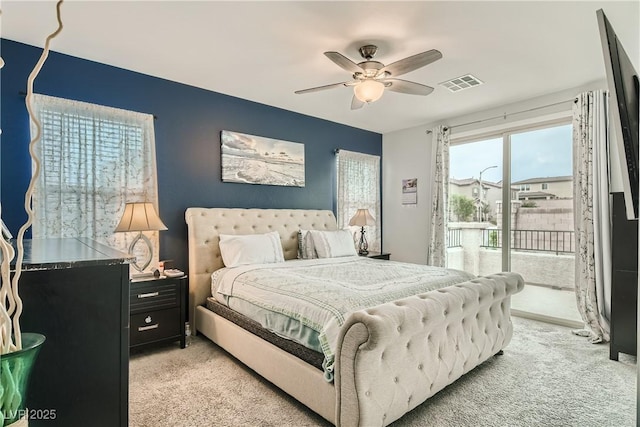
[{"x": 158, "y": 309}]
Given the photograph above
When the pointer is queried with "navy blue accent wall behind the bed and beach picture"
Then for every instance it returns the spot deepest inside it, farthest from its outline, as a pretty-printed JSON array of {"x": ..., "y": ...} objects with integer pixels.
[{"x": 187, "y": 127}]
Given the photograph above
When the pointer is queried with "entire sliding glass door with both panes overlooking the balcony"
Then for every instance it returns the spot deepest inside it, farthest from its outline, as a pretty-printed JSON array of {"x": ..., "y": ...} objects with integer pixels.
[{"x": 525, "y": 226}]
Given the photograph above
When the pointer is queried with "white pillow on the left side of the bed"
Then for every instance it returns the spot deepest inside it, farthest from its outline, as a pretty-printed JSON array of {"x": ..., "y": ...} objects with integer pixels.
[{"x": 237, "y": 249}]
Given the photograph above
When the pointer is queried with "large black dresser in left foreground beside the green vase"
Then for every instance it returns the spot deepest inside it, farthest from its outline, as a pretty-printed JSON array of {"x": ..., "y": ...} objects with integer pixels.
[{"x": 76, "y": 293}]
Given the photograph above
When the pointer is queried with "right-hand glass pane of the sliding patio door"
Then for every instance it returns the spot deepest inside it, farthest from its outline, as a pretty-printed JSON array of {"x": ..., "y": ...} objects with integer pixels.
[{"x": 541, "y": 225}]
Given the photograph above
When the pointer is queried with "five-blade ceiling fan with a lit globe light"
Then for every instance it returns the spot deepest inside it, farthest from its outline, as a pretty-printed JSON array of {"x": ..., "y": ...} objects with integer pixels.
[{"x": 371, "y": 78}]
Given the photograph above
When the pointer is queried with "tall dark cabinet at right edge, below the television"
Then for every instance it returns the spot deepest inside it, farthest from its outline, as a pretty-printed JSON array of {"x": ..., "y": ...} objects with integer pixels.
[{"x": 624, "y": 281}]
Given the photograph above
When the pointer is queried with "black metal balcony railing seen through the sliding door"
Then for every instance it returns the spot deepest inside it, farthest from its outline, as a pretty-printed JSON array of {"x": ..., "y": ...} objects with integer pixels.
[{"x": 532, "y": 240}]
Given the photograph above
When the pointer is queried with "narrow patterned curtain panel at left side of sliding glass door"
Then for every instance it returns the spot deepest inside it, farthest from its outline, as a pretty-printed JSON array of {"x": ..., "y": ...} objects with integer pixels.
[{"x": 437, "y": 255}]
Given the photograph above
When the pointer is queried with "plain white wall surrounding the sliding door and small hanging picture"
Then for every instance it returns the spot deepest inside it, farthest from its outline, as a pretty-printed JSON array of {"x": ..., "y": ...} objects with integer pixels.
[{"x": 407, "y": 154}]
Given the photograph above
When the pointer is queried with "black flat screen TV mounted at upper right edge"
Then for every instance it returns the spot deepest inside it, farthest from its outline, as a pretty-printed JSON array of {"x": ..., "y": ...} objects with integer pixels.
[{"x": 622, "y": 80}]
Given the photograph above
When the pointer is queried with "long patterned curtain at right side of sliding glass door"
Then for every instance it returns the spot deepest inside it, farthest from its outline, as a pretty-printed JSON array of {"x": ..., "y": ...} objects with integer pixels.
[{"x": 592, "y": 216}]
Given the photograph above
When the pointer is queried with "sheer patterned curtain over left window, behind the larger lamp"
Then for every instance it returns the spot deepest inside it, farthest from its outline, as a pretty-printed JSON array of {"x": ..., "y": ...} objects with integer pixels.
[{"x": 94, "y": 159}]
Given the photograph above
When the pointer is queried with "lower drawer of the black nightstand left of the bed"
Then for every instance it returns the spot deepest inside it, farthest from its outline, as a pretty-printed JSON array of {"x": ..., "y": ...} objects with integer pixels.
[{"x": 154, "y": 326}]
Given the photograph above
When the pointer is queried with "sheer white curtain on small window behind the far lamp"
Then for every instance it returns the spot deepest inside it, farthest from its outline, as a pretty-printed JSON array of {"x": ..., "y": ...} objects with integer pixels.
[{"x": 359, "y": 188}]
